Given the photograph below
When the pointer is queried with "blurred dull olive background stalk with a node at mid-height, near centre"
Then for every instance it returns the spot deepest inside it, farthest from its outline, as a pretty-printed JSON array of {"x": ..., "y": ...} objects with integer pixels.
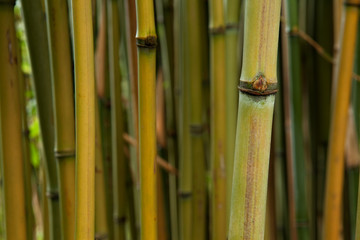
[{"x": 194, "y": 62}]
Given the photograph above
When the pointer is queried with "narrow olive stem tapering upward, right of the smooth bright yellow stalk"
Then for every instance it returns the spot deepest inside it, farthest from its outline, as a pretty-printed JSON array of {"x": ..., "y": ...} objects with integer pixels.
[{"x": 101, "y": 221}]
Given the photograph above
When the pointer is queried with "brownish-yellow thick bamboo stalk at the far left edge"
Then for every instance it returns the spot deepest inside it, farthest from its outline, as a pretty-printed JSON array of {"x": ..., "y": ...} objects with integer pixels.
[{"x": 10, "y": 120}]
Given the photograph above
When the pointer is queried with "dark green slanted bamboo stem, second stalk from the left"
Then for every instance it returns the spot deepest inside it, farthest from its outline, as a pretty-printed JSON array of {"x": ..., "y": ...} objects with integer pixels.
[{"x": 35, "y": 26}]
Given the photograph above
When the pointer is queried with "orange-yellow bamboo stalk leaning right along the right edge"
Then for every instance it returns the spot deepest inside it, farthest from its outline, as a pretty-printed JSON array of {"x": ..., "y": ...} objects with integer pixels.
[{"x": 338, "y": 126}]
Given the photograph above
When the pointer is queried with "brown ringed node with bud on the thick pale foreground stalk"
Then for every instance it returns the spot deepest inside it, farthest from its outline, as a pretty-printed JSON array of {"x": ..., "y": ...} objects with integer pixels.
[{"x": 259, "y": 86}]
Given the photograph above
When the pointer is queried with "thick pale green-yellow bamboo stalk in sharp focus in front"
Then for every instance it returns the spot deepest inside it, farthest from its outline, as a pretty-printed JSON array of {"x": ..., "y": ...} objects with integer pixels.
[{"x": 256, "y": 103}]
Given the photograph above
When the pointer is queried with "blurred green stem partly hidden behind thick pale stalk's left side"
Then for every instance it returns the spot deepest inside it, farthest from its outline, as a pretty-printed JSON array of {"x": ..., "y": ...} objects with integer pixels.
[{"x": 232, "y": 19}]
